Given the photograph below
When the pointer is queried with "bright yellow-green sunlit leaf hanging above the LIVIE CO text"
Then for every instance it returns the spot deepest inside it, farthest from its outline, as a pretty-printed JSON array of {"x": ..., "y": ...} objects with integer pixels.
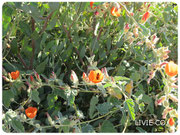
[{"x": 129, "y": 105}]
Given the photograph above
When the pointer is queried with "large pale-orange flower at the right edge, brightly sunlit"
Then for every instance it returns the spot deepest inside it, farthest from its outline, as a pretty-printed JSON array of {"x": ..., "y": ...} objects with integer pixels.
[{"x": 171, "y": 69}]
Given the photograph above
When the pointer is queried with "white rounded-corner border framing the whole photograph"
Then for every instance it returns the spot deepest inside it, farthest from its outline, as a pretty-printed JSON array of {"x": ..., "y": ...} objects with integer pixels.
[{"x": 1, "y": 4}]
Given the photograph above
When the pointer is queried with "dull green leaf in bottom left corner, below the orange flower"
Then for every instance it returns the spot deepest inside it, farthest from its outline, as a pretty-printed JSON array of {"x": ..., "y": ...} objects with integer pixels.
[{"x": 17, "y": 125}]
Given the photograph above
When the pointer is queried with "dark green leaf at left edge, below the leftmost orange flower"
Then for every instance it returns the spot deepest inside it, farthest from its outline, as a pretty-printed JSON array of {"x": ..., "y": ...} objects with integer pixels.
[{"x": 8, "y": 96}]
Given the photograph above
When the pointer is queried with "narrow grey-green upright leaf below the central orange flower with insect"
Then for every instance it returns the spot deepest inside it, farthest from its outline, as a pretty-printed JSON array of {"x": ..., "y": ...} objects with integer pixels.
[{"x": 93, "y": 102}]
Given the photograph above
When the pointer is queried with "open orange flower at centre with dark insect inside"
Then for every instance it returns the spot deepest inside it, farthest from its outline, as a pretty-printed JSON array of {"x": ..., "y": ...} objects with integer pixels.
[{"x": 95, "y": 76}]
